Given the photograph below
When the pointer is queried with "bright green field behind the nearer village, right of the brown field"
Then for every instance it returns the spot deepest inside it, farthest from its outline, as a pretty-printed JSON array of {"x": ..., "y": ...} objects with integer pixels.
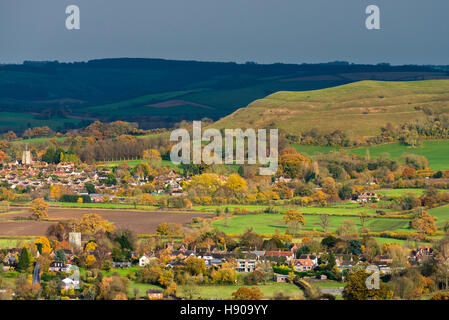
[{"x": 271, "y": 223}]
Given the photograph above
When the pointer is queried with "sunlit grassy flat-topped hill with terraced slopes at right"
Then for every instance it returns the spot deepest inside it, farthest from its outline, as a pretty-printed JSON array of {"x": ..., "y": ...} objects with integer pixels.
[{"x": 360, "y": 109}]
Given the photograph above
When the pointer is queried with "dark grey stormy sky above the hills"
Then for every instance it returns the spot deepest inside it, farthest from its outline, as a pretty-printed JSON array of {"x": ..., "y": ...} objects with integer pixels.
[{"x": 265, "y": 31}]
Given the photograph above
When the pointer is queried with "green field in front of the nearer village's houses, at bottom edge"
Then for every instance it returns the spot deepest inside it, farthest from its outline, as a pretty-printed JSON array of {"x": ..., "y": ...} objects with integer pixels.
[{"x": 221, "y": 292}]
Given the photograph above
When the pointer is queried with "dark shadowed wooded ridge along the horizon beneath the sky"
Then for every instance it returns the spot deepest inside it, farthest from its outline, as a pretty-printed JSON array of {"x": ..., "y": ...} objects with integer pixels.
[{"x": 159, "y": 93}]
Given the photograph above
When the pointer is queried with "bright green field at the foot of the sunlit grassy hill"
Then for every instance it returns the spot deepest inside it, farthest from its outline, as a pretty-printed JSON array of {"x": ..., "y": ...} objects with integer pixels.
[{"x": 435, "y": 151}]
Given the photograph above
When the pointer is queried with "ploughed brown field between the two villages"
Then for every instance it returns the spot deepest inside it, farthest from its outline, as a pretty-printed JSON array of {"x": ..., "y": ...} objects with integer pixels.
[{"x": 141, "y": 222}]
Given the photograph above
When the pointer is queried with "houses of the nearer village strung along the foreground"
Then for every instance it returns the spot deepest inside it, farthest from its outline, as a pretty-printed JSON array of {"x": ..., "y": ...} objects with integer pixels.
[{"x": 245, "y": 261}]
